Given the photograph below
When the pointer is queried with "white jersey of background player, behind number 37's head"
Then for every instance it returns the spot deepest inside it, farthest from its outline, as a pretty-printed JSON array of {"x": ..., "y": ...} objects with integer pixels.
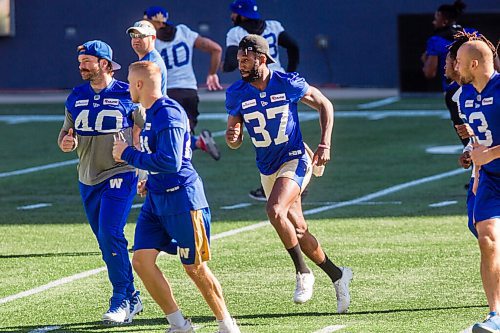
[{"x": 270, "y": 33}]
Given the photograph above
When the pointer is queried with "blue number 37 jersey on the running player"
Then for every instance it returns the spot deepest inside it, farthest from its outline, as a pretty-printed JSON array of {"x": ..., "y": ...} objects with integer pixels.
[{"x": 270, "y": 117}]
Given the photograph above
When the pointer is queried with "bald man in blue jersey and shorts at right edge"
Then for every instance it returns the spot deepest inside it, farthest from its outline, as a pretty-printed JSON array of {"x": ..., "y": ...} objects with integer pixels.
[{"x": 480, "y": 102}]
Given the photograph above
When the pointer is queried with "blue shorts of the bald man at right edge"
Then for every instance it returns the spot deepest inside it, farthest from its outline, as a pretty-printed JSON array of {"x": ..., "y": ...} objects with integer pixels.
[{"x": 487, "y": 201}]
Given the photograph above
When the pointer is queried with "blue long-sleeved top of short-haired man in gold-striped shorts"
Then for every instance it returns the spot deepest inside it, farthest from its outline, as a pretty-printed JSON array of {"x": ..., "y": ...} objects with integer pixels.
[{"x": 166, "y": 148}]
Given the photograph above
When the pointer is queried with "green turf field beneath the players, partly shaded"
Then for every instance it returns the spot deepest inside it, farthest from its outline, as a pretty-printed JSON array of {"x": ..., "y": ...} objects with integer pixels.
[{"x": 416, "y": 267}]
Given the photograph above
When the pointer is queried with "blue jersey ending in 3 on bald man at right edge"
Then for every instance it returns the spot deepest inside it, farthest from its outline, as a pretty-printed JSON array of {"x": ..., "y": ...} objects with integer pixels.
[{"x": 483, "y": 115}]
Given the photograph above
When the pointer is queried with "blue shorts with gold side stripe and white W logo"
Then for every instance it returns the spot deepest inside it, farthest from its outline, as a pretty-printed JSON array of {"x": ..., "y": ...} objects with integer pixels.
[{"x": 190, "y": 229}]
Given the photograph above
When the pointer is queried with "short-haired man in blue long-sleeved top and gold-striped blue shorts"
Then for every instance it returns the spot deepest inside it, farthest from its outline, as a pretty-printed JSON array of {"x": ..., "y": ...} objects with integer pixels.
[{"x": 175, "y": 205}]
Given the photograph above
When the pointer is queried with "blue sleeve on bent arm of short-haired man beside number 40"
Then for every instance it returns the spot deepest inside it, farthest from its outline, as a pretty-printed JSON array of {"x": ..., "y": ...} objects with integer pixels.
[{"x": 168, "y": 155}]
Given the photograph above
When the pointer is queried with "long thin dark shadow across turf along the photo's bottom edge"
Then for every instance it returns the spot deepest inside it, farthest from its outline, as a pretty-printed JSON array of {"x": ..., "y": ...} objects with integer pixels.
[{"x": 97, "y": 326}]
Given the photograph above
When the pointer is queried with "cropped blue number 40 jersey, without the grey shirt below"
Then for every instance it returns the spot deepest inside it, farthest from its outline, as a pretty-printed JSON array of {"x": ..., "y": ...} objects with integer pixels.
[{"x": 108, "y": 111}]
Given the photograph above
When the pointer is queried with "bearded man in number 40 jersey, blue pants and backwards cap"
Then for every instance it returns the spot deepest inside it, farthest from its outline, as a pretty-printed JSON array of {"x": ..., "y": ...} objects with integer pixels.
[{"x": 95, "y": 112}]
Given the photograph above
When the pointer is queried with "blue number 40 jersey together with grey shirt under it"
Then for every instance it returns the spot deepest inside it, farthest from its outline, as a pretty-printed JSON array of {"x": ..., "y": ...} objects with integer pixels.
[{"x": 96, "y": 118}]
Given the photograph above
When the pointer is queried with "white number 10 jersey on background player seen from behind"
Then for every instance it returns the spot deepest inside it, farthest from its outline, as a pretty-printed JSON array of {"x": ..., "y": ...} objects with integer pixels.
[{"x": 178, "y": 57}]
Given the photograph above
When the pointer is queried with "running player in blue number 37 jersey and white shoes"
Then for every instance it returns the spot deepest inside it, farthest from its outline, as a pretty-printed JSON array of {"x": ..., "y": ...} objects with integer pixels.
[{"x": 266, "y": 102}]
